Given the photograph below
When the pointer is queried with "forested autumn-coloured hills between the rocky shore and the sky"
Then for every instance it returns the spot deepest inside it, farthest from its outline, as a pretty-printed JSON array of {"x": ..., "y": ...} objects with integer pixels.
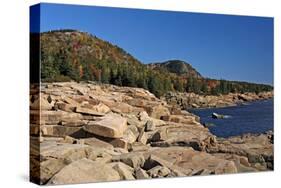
[{"x": 74, "y": 55}]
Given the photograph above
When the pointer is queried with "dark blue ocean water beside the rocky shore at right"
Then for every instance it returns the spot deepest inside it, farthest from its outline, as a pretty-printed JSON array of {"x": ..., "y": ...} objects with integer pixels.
[{"x": 254, "y": 117}]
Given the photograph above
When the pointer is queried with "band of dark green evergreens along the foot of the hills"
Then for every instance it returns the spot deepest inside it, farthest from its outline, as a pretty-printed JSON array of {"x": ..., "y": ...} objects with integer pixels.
[{"x": 63, "y": 66}]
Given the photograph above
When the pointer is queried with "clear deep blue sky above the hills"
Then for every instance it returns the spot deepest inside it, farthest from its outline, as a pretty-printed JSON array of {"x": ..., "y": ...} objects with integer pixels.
[{"x": 218, "y": 46}]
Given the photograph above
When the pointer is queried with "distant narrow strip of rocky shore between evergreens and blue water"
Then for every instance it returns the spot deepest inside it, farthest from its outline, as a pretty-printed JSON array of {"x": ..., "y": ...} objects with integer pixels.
[{"x": 192, "y": 100}]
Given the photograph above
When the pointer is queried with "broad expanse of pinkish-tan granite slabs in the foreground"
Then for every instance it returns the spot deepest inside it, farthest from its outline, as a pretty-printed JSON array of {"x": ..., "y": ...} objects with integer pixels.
[{"x": 88, "y": 132}]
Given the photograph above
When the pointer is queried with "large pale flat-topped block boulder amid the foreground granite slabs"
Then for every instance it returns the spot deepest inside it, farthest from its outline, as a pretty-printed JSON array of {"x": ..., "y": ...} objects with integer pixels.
[{"x": 111, "y": 125}]
